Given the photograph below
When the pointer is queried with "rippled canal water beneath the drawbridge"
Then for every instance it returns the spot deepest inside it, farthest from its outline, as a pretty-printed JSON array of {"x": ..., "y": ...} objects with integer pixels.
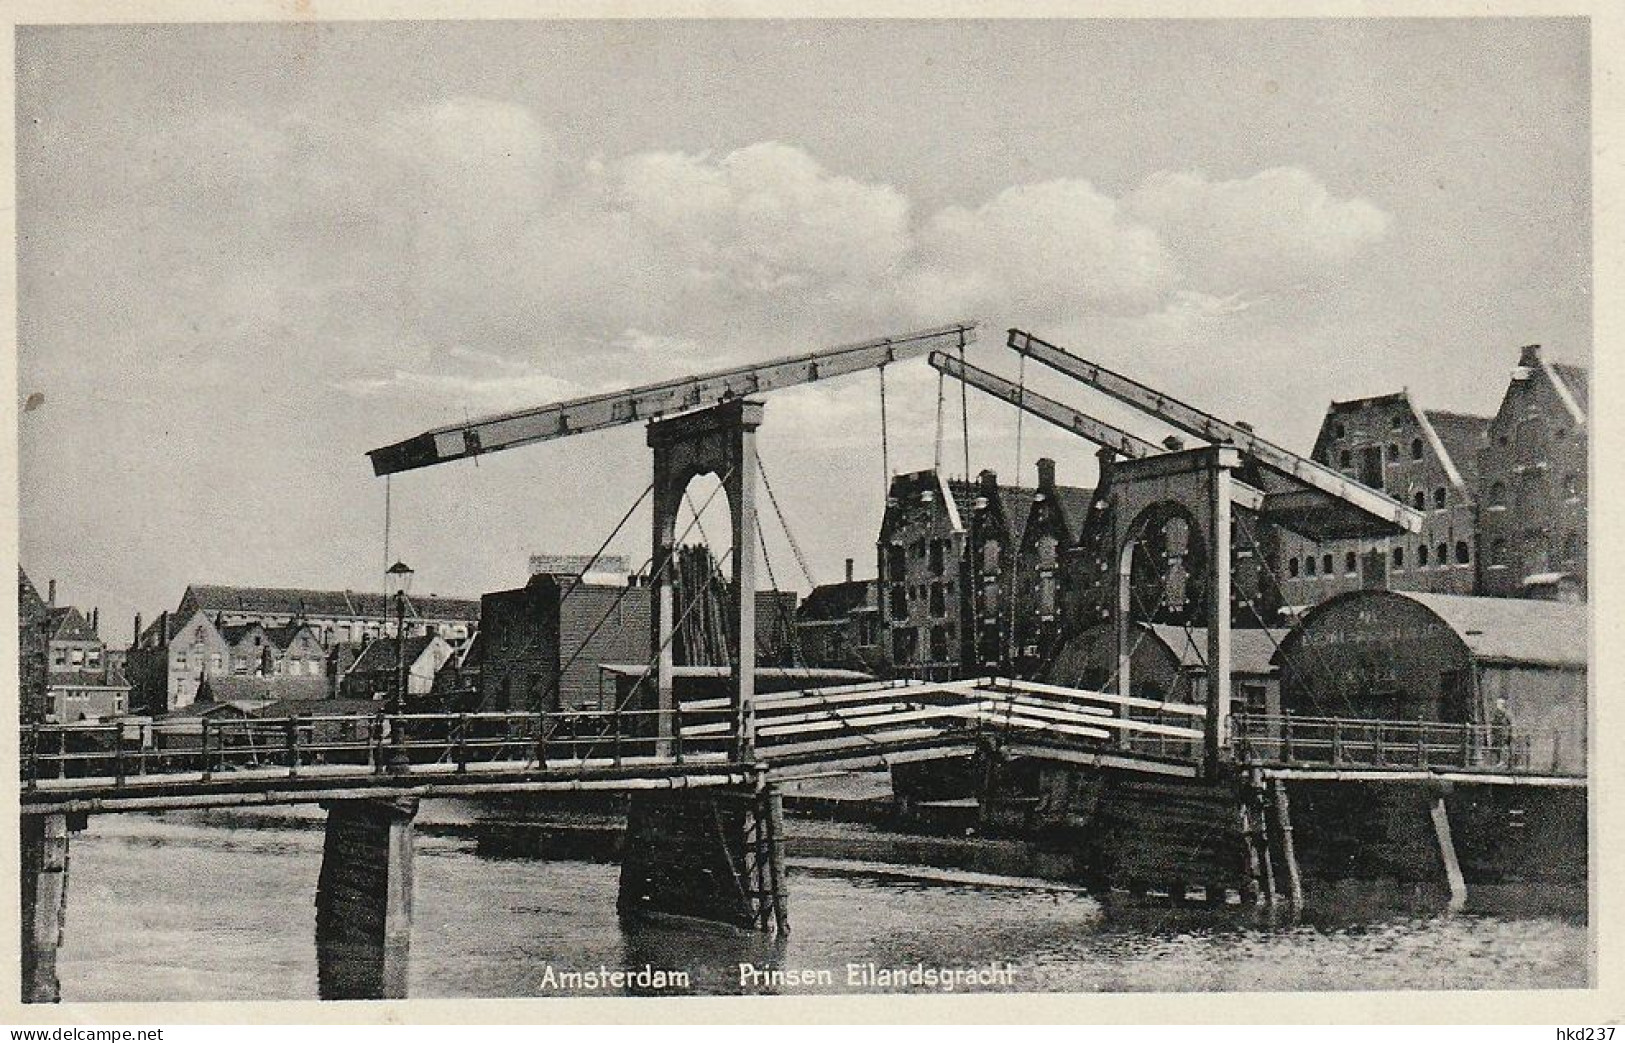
[{"x": 204, "y": 907}]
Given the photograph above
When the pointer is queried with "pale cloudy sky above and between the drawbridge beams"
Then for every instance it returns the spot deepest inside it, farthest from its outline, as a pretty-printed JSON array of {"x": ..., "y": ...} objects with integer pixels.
[{"x": 249, "y": 254}]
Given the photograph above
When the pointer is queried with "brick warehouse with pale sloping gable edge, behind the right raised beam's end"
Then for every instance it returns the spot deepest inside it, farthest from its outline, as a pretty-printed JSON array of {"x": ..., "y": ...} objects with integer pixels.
[{"x": 1426, "y": 459}]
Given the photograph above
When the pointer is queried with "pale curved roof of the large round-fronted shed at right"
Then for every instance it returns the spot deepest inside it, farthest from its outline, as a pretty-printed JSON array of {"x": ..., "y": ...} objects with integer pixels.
[{"x": 1515, "y": 630}]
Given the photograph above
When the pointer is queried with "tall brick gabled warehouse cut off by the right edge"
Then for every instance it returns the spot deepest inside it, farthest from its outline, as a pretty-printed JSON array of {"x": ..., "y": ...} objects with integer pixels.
[{"x": 1533, "y": 517}]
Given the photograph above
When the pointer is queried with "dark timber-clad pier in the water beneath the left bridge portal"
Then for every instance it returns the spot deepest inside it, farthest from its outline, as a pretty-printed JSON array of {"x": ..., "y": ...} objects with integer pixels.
[{"x": 709, "y": 855}]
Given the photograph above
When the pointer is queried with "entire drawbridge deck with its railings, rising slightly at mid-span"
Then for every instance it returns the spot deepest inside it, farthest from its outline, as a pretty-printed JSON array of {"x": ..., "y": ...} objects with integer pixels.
[{"x": 126, "y": 766}]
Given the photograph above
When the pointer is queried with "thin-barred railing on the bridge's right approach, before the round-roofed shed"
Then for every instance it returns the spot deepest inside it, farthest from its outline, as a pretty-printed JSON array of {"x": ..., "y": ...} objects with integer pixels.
[{"x": 1361, "y": 743}]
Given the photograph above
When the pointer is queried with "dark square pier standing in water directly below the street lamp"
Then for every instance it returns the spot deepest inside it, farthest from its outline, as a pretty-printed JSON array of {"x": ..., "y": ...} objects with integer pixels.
[{"x": 363, "y": 901}]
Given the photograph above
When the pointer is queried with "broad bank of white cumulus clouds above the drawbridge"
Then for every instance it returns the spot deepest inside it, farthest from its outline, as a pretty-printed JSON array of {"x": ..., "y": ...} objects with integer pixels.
[{"x": 383, "y": 251}]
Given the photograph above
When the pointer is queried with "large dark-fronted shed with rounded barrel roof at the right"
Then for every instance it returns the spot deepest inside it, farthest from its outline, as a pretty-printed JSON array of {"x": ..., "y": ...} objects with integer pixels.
[{"x": 1389, "y": 656}]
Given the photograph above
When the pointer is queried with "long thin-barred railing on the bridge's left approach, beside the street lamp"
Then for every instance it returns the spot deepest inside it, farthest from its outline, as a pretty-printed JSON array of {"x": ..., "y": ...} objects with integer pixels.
[{"x": 381, "y": 742}]
